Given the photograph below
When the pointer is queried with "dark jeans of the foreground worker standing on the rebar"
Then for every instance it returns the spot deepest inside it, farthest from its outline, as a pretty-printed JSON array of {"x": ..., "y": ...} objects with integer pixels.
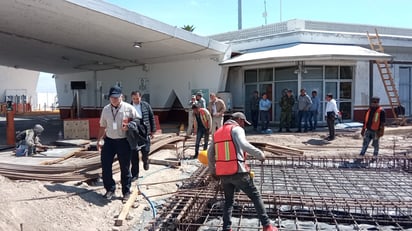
[{"x": 244, "y": 182}]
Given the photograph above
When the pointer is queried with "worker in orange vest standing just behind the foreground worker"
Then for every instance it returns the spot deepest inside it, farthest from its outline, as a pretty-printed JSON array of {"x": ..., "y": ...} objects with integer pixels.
[{"x": 202, "y": 122}]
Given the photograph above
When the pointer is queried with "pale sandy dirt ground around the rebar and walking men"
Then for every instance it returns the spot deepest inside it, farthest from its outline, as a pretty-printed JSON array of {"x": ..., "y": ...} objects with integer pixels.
[{"x": 35, "y": 205}]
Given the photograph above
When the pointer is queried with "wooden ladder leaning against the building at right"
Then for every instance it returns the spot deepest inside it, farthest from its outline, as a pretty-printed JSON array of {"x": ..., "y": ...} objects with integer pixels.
[{"x": 386, "y": 76}]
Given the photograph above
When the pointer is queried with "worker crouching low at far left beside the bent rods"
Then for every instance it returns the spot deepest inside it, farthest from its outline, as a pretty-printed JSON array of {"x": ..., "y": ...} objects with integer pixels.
[{"x": 28, "y": 141}]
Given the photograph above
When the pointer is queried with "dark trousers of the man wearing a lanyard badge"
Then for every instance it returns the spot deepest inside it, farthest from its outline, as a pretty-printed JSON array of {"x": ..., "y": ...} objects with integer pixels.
[{"x": 110, "y": 148}]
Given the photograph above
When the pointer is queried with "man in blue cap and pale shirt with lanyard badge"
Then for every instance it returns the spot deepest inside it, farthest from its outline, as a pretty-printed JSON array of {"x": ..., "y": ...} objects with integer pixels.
[{"x": 113, "y": 126}]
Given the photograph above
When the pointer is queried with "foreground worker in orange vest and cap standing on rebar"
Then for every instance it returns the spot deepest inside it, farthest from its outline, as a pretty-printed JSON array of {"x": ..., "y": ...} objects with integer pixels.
[{"x": 226, "y": 159}]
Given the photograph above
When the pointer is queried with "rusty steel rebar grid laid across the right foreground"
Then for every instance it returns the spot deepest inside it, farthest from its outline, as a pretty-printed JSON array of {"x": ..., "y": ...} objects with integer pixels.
[{"x": 302, "y": 193}]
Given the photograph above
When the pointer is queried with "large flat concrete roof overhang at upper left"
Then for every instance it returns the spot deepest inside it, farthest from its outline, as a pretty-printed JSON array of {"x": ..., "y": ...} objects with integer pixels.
[{"x": 64, "y": 36}]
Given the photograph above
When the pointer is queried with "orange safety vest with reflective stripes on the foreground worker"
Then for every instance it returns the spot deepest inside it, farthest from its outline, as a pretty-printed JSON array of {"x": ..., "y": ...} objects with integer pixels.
[{"x": 225, "y": 151}]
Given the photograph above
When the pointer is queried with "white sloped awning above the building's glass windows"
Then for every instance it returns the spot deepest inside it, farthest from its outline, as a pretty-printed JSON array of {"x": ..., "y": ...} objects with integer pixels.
[{"x": 307, "y": 52}]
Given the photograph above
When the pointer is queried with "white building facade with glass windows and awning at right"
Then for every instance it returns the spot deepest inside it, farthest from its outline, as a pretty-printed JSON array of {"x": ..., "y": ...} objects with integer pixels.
[{"x": 326, "y": 57}]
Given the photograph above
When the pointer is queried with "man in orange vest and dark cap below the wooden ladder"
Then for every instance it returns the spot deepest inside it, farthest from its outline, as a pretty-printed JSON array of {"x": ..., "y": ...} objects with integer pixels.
[{"x": 373, "y": 127}]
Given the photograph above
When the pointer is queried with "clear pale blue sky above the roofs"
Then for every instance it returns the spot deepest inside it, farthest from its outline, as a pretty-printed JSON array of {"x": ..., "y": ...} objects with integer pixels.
[{"x": 218, "y": 16}]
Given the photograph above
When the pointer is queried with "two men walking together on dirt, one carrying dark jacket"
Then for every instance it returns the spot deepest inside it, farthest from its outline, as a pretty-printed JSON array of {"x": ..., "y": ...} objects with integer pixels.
[{"x": 125, "y": 130}]
